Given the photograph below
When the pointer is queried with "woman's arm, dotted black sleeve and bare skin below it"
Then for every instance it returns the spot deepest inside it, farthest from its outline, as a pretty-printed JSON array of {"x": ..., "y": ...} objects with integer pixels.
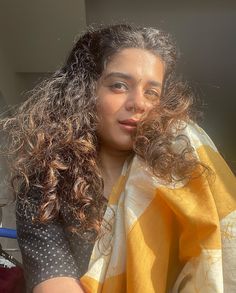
[{"x": 49, "y": 264}]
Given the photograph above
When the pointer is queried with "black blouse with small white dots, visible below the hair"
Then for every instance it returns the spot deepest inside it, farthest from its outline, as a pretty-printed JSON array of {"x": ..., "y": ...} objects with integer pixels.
[{"x": 48, "y": 250}]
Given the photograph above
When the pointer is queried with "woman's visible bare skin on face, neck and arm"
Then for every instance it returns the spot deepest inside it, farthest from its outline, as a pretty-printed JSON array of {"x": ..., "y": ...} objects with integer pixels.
[{"x": 127, "y": 95}]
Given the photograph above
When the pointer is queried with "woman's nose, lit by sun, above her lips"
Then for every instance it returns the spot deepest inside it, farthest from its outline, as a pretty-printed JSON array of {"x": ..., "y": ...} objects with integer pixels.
[{"x": 136, "y": 102}]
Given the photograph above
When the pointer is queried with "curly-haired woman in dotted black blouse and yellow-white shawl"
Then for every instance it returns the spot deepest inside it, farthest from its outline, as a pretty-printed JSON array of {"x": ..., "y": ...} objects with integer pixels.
[{"x": 118, "y": 190}]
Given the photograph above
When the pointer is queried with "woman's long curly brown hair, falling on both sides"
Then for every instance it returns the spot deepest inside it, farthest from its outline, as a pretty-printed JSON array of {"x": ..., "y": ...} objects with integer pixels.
[{"x": 52, "y": 141}]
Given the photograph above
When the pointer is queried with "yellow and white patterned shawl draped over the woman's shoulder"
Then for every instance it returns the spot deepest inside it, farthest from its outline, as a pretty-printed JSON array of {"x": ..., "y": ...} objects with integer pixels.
[{"x": 179, "y": 238}]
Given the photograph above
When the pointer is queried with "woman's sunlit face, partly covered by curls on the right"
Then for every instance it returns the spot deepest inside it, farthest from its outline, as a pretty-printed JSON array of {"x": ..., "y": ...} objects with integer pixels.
[{"x": 129, "y": 87}]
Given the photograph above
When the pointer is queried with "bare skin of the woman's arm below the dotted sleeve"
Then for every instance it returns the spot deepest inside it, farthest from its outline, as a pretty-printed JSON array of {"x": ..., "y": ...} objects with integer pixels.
[{"x": 59, "y": 285}]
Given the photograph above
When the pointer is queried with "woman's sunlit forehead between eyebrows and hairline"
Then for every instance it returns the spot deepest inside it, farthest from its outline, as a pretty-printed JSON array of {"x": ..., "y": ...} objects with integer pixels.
[{"x": 139, "y": 63}]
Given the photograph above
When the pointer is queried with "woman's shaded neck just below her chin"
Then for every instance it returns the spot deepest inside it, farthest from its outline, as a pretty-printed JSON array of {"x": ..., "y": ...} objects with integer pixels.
[{"x": 111, "y": 162}]
